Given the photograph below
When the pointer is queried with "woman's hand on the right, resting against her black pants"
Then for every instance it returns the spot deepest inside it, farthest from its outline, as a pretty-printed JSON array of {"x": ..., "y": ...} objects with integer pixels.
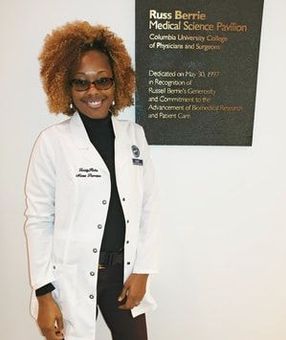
[{"x": 133, "y": 291}]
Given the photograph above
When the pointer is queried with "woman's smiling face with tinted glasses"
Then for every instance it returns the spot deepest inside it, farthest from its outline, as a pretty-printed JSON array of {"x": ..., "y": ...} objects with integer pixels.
[{"x": 93, "y": 102}]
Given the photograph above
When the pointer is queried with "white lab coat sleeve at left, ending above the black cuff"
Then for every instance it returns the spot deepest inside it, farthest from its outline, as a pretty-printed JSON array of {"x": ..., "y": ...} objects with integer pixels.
[{"x": 40, "y": 201}]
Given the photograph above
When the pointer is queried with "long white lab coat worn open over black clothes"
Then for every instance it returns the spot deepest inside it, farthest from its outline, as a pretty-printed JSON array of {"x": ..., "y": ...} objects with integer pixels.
[{"x": 68, "y": 191}]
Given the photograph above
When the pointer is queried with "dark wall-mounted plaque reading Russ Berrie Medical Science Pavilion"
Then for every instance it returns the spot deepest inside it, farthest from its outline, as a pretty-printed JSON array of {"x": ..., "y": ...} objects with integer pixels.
[{"x": 196, "y": 66}]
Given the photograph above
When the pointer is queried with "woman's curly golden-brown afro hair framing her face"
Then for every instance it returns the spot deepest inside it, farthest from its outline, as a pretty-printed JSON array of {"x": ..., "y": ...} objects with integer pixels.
[{"x": 62, "y": 51}]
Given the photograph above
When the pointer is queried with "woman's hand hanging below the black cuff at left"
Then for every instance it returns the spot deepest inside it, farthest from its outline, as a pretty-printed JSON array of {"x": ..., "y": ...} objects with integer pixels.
[{"x": 50, "y": 319}]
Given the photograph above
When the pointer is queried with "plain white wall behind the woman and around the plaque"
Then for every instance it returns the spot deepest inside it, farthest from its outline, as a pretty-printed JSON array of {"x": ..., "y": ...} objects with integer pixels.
[{"x": 223, "y": 273}]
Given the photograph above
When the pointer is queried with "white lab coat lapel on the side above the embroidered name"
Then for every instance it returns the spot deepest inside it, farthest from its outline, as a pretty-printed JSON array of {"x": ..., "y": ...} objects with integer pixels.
[{"x": 81, "y": 139}]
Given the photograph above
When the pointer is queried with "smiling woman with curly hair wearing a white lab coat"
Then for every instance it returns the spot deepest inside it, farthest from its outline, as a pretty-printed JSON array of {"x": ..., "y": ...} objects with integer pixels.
[{"x": 91, "y": 198}]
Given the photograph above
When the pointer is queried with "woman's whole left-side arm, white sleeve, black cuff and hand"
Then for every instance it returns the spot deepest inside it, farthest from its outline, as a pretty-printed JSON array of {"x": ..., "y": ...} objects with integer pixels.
[{"x": 39, "y": 227}]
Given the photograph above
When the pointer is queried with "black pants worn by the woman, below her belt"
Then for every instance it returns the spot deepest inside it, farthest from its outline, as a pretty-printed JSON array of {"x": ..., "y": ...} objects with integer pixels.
[{"x": 120, "y": 322}]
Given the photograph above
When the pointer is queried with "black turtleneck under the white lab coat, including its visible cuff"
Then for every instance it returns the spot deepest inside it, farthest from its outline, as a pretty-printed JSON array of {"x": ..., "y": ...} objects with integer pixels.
[{"x": 101, "y": 135}]
